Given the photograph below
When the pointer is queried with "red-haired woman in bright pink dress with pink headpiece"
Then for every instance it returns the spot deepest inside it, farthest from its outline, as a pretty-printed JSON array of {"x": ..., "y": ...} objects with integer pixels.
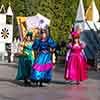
[{"x": 76, "y": 67}]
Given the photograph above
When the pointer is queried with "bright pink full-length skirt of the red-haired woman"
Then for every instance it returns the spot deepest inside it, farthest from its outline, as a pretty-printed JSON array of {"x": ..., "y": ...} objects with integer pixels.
[{"x": 76, "y": 69}]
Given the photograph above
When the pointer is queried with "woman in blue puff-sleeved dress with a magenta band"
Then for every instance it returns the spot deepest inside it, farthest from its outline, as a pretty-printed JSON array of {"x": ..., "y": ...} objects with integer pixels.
[{"x": 42, "y": 68}]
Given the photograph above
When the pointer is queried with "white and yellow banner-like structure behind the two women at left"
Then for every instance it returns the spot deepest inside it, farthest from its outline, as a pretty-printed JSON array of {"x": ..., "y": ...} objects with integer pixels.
[{"x": 29, "y": 23}]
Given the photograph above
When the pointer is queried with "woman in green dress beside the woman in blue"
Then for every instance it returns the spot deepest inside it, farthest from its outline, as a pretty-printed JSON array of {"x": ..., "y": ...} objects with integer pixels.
[{"x": 26, "y": 59}]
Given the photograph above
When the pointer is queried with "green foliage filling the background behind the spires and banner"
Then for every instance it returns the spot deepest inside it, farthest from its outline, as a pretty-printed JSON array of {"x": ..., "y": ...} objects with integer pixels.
[{"x": 62, "y": 13}]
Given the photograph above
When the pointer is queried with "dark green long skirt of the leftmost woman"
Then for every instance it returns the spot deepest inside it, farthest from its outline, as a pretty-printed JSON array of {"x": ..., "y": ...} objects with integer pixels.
[{"x": 24, "y": 68}]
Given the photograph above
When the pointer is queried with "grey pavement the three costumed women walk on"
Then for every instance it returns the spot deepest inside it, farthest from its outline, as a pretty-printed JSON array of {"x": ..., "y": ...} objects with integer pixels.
[{"x": 58, "y": 89}]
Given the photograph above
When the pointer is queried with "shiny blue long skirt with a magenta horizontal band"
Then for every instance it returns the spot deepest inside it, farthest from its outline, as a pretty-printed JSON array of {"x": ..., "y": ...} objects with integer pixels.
[{"x": 42, "y": 68}]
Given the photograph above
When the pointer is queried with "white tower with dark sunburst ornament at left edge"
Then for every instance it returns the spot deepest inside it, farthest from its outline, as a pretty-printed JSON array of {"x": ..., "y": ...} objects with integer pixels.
[{"x": 6, "y": 29}]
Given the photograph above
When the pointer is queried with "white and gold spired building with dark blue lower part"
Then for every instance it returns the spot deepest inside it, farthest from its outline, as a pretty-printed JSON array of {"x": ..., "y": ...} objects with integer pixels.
[{"x": 89, "y": 22}]
